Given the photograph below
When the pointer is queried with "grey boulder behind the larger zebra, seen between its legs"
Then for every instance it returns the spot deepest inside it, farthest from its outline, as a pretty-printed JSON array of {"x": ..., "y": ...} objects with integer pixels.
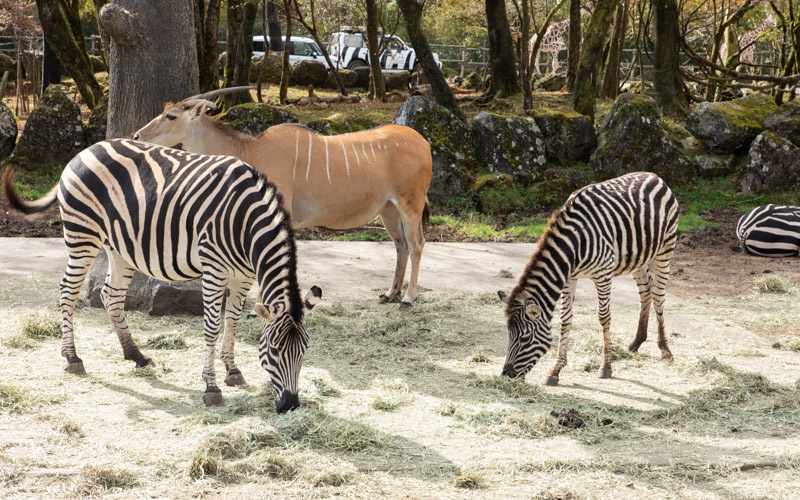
[{"x": 157, "y": 298}]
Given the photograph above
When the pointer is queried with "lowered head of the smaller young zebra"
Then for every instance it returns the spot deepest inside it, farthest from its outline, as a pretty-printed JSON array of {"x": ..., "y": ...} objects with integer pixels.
[{"x": 528, "y": 334}]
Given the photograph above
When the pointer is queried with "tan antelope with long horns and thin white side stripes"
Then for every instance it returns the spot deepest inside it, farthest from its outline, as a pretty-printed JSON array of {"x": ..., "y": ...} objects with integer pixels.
[{"x": 346, "y": 180}]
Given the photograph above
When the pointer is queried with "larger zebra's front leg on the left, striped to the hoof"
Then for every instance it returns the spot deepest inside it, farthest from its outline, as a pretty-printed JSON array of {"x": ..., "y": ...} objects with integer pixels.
[{"x": 214, "y": 285}]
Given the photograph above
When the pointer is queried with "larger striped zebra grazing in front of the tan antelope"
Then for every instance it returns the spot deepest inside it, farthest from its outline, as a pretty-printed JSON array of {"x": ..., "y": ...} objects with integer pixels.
[{"x": 177, "y": 216}]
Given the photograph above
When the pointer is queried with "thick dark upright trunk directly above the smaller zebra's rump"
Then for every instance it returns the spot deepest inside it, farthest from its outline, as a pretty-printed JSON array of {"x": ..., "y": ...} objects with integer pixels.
[{"x": 667, "y": 79}]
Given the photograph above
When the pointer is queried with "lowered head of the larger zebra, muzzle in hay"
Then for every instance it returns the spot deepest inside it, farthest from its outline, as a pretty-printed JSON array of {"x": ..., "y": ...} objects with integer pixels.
[{"x": 282, "y": 346}]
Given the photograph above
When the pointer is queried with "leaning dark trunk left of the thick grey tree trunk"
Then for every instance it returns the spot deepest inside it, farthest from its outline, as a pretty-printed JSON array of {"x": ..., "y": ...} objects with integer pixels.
[{"x": 73, "y": 57}]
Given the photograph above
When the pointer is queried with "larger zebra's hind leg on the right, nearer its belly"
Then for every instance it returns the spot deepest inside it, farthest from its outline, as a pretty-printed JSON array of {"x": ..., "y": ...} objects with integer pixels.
[{"x": 118, "y": 279}]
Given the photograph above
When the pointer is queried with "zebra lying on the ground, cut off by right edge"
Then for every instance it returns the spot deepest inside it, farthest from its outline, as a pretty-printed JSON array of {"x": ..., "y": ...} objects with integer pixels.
[{"x": 770, "y": 231}]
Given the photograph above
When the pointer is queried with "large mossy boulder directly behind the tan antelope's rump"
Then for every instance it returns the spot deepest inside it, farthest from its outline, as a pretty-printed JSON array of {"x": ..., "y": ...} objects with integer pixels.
[{"x": 454, "y": 158}]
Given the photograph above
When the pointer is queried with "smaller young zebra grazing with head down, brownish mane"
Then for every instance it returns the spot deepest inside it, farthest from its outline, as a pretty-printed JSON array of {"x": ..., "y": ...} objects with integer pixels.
[{"x": 621, "y": 226}]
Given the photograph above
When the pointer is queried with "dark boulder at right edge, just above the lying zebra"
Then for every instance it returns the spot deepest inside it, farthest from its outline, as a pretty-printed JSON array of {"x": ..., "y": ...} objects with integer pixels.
[{"x": 773, "y": 164}]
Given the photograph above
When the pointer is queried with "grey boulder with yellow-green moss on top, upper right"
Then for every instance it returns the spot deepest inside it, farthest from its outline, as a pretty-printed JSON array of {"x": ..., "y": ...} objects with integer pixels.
[{"x": 730, "y": 126}]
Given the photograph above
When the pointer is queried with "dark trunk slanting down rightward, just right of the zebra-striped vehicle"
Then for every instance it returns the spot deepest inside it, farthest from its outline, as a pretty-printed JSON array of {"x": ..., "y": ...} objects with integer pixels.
[{"x": 442, "y": 94}]
